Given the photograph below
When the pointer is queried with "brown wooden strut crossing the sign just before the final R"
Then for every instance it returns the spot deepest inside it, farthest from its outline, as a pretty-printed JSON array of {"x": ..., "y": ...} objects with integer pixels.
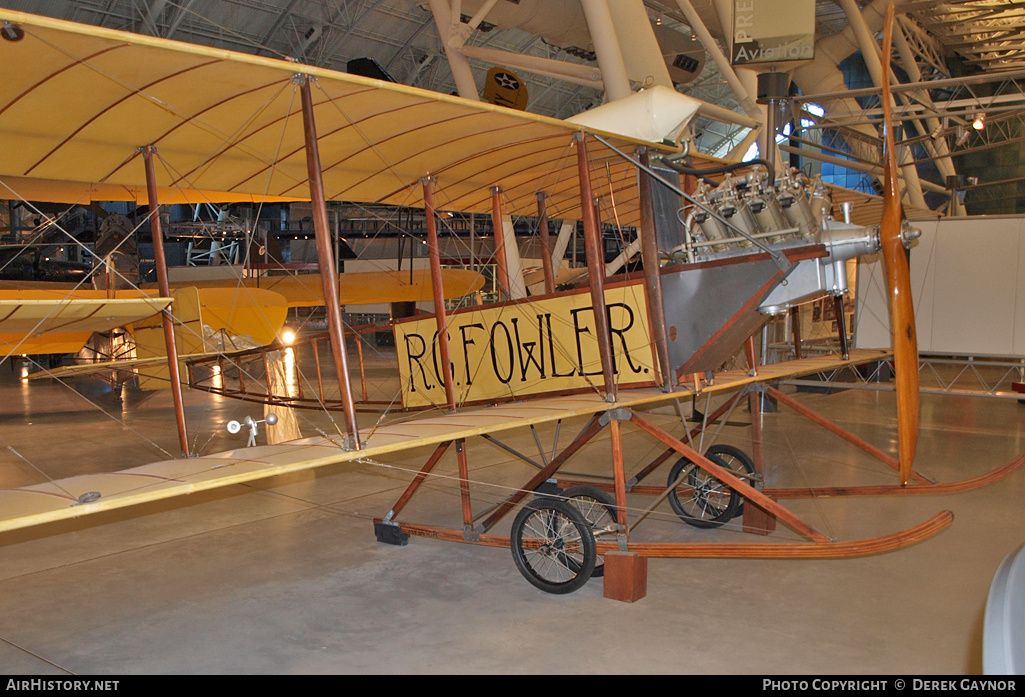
[{"x": 596, "y": 268}]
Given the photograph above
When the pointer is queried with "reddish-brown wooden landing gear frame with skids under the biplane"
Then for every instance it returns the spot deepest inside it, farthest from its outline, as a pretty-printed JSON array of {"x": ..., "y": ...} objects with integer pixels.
[{"x": 760, "y": 506}]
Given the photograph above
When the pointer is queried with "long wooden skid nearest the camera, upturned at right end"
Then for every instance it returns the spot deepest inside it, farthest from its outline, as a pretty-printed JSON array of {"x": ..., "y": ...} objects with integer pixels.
[{"x": 874, "y": 546}]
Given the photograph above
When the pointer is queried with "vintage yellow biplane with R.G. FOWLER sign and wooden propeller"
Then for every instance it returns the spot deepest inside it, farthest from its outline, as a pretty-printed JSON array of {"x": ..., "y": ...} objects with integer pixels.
[{"x": 224, "y": 124}]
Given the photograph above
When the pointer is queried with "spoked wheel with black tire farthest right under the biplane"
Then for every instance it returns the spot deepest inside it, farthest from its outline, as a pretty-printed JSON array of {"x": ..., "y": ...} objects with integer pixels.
[{"x": 701, "y": 500}]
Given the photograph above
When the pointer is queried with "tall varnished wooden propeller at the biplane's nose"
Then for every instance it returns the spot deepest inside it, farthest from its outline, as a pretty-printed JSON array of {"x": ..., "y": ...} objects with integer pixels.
[{"x": 906, "y": 343}]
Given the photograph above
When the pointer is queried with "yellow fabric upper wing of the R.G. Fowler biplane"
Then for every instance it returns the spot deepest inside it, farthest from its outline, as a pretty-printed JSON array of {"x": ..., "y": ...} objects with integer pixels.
[{"x": 230, "y": 122}]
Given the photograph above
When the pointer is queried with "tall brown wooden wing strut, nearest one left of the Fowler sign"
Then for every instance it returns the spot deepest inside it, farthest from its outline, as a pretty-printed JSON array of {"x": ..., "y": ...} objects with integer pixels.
[{"x": 325, "y": 260}]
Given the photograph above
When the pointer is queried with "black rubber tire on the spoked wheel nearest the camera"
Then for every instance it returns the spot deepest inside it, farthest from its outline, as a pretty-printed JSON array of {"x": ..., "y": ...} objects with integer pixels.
[{"x": 564, "y": 514}]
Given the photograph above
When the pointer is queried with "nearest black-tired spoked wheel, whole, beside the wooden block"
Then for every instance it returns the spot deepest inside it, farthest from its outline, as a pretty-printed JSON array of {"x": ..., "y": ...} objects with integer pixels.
[{"x": 553, "y": 546}]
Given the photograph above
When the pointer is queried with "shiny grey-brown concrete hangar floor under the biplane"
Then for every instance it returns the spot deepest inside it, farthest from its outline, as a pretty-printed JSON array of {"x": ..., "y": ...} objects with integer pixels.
[{"x": 285, "y": 576}]
